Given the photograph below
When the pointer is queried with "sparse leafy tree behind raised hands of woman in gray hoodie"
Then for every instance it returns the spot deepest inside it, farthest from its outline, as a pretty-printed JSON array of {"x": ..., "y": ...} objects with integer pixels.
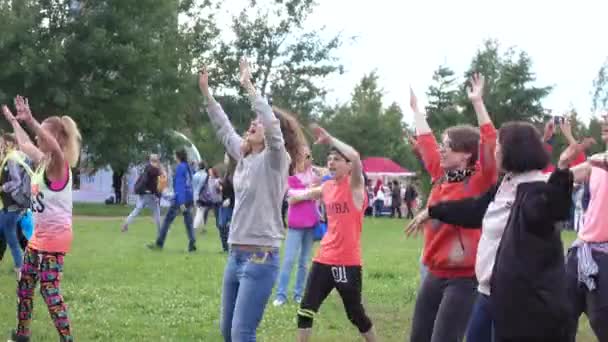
[{"x": 289, "y": 62}]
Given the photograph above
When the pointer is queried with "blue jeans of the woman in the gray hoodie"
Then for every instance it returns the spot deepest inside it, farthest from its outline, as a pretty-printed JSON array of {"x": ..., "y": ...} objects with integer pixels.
[{"x": 248, "y": 281}]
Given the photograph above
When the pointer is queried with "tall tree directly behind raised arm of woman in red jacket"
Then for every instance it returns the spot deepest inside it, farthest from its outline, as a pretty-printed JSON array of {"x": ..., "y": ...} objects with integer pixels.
[{"x": 510, "y": 95}]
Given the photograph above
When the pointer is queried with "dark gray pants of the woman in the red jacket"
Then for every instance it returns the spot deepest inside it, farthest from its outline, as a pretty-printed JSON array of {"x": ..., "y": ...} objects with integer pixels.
[{"x": 443, "y": 308}]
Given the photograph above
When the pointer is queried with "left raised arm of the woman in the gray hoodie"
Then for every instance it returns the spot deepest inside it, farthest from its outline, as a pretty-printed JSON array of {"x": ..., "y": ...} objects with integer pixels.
[{"x": 223, "y": 128}]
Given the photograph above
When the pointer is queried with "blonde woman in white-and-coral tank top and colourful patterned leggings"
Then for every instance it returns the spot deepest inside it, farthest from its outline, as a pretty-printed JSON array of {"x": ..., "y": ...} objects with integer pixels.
[{"x": 58, "y": 147}]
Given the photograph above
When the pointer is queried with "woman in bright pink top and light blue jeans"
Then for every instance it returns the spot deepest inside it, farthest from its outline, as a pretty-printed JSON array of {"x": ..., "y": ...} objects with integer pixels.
[{"x": 302, "y": 217}]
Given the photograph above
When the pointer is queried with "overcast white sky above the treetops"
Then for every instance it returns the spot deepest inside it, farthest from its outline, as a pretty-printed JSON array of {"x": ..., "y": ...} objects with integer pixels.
[{"x": 405, "y": 41}]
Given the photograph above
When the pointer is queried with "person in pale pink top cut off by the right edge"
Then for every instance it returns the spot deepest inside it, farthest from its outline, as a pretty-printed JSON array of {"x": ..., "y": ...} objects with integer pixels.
[{"x": 587, "y": 263}]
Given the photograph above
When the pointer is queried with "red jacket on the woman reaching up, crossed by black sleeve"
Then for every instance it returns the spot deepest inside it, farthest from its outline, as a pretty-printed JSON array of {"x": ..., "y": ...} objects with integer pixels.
[{"x": 449, "y": 250}]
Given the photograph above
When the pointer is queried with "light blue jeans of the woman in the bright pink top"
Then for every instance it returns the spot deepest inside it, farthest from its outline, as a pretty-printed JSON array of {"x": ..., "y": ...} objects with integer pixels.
[{"x": 298, "y": 241}]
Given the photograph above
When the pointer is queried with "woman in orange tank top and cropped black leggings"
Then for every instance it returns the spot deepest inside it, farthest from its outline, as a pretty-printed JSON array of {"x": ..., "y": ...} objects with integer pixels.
[{"x": 338, "y": 261}]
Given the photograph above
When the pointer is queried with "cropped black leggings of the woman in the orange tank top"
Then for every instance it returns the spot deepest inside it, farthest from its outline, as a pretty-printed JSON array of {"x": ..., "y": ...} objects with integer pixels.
[{"x": 322, "y": 279}]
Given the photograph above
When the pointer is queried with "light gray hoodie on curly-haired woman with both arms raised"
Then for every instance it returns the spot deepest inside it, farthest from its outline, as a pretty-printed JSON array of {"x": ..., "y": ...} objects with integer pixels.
[{"x": 260, "y": 180}]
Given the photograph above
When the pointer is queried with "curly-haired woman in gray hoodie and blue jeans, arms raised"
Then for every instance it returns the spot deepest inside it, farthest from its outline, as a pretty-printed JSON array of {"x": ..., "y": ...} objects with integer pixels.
[{"x": 260, "y": 181}]
